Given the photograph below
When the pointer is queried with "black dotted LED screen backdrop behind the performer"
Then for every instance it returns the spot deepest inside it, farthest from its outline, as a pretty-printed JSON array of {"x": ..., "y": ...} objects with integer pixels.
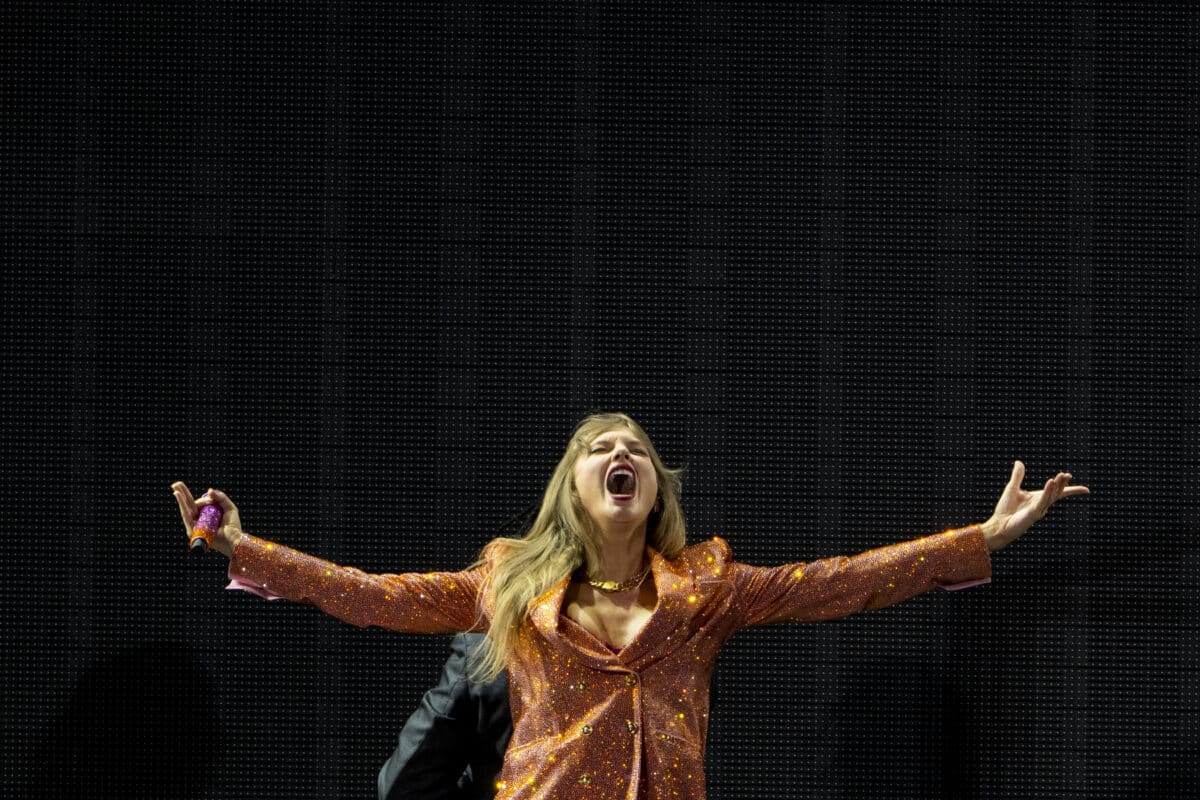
[{"x": 363, "y": 266}]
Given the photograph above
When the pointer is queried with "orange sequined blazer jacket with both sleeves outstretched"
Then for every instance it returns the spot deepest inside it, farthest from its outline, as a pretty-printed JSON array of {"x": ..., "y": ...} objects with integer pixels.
[{"x": 593, "y": 724}]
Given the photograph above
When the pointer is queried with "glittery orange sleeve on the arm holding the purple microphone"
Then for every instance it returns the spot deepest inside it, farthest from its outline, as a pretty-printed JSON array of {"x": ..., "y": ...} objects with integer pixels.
[{"x": 431, "y": 603}]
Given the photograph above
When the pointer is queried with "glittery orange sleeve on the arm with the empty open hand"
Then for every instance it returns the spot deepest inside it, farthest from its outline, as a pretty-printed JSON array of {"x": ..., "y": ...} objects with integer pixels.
[{"x": 843, "y": 586}]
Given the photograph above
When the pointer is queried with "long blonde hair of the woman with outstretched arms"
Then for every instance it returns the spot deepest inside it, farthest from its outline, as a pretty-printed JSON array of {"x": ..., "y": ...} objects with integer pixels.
[{"x": 563, "y": 539}]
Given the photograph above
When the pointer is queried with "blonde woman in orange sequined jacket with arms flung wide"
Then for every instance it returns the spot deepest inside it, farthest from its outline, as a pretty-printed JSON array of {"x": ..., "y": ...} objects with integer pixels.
[{"x": 607, "y": 622}]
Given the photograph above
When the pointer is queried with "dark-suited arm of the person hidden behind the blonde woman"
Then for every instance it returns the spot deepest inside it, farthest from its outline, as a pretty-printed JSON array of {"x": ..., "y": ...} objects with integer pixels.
[{"x": 453, "y": 745}]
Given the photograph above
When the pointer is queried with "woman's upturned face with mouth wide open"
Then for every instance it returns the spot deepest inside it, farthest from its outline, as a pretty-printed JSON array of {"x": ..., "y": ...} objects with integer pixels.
[{"x": 616, "y": 480}]
